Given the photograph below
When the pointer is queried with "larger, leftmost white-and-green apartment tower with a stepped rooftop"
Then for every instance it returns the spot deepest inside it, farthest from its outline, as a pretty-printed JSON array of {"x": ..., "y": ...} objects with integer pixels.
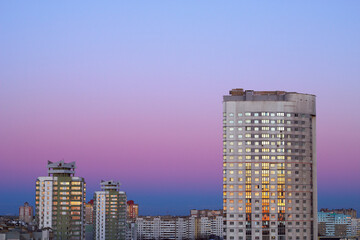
[{"x": 60, "y": 201}]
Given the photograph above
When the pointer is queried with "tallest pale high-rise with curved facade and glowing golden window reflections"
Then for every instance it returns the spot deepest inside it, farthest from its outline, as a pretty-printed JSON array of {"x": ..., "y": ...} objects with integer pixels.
[{"x": 269, "y": 165}]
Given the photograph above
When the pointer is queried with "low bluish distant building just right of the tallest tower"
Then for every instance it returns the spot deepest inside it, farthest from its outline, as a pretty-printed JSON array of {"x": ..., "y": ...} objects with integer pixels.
[{"x": 334, "y": 225}]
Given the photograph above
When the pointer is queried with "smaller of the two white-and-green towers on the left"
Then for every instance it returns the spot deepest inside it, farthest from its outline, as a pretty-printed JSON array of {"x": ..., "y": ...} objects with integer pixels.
[{"x": 110, "y": 211}]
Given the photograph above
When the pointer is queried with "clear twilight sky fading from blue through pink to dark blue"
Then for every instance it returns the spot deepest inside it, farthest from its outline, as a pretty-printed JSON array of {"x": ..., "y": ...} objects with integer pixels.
[{"x": 132, "y": 91}]
